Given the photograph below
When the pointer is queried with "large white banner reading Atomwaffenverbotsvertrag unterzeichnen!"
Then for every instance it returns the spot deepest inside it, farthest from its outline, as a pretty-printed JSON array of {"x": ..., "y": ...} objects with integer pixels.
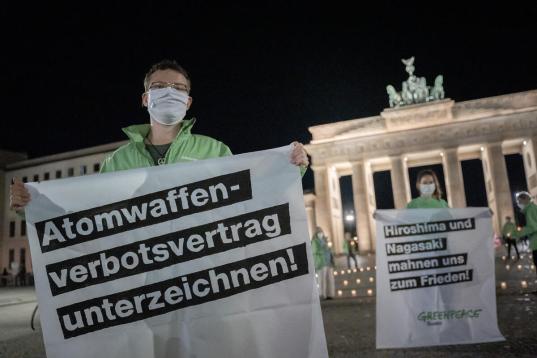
[{"x": 201, "y": 259}]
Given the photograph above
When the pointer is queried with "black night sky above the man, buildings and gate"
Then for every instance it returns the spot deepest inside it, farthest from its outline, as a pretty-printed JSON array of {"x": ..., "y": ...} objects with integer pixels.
[{"x": 261, "y": 76}]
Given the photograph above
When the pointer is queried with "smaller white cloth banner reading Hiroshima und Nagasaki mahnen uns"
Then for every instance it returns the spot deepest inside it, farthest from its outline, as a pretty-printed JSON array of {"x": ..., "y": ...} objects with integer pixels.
[{"x": 435, "y": 278}]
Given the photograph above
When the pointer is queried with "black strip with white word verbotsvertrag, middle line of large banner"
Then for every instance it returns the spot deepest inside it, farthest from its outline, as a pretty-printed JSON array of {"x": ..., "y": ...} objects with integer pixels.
[{"x": 162, "y": 251}]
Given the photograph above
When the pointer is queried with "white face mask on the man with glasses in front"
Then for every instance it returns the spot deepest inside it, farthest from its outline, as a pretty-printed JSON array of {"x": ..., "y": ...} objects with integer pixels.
[{"x": 167, "y": 105}]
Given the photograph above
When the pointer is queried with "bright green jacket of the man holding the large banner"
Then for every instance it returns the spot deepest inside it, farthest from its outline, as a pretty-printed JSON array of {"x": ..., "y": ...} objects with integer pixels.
[{"x": 185, "y": 147}]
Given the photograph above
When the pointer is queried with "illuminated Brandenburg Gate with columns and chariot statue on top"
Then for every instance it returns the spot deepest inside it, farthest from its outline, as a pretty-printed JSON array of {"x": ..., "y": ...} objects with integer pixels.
[{"x": 421, "y": 128}]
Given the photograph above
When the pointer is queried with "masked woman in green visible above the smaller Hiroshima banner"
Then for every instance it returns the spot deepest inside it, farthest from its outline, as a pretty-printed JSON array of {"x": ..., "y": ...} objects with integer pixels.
[{"x": 430, "y": 192}]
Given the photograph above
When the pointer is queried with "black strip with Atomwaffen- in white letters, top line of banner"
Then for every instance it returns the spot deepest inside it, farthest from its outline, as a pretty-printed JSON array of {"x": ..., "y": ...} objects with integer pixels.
[{"x": 144, "y": 210}]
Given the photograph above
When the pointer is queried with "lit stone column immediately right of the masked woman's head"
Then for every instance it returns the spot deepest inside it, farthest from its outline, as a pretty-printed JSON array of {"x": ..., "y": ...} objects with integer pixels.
[{"x": 454, "y": 180}]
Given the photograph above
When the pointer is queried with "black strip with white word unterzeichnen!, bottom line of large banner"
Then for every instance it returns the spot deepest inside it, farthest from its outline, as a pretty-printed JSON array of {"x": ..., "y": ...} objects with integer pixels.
[{"x": 183, "y": 291}]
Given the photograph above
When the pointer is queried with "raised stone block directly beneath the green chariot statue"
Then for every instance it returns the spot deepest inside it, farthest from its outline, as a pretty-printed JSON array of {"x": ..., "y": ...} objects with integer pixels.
[{"x": 418, "y": 115}]
